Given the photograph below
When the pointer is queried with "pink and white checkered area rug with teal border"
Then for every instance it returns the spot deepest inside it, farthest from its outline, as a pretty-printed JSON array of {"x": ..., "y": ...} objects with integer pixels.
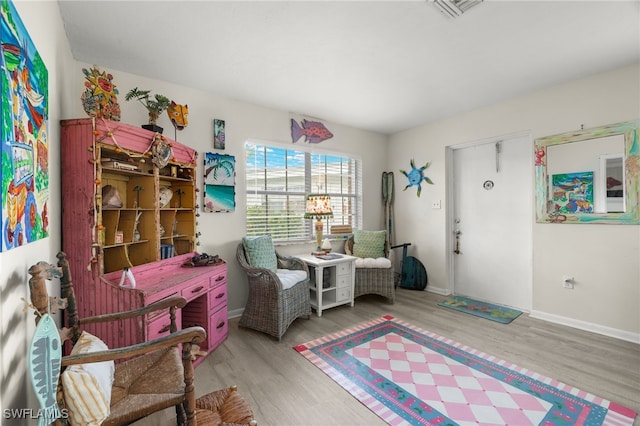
[{"x": 410, "y": 376}]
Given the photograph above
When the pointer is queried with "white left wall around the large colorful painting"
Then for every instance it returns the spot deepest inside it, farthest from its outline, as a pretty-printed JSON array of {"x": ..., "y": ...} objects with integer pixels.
[{"x": 44, "y": 24}]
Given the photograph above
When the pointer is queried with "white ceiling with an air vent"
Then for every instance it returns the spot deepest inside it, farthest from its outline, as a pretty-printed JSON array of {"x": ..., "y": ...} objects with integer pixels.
[{"x": 384, "y": 66}]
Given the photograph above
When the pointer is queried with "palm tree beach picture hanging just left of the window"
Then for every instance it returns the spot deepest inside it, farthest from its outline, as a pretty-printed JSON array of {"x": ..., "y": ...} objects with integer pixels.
[{"x": 219, "y": 183}]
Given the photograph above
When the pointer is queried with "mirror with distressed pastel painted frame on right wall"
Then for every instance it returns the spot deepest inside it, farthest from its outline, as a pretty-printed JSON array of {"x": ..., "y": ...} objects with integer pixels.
[{"x": 589, "y": 176}]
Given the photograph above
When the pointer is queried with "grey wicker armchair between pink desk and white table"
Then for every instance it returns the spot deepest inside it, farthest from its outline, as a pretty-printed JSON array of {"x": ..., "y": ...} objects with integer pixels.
[{"x": 270, "y": 308}]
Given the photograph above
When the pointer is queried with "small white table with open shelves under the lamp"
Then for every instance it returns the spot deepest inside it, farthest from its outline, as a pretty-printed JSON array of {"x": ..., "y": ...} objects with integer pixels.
[{"x": 331, "y": 281}]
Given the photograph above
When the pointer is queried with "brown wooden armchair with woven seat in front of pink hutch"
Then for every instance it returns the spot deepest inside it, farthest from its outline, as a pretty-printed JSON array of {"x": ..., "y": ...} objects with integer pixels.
[{"x": 155, "y": 374}]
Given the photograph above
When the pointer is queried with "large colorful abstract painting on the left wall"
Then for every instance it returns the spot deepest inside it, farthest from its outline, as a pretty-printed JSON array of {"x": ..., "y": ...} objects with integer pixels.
[{"x": 24, "y": 135}]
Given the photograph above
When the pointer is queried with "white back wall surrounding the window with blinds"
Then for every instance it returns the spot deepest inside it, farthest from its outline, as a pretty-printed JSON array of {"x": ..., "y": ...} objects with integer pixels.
[{"x": 221, "y": 232}]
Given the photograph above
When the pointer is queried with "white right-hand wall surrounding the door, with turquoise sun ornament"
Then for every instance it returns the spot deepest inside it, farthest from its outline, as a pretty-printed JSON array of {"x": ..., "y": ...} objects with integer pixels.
[{"x": 604, "y": 259}]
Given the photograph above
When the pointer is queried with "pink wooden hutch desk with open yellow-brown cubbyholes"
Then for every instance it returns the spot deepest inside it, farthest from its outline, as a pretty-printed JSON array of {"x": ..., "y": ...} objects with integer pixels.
[{"x": 148, "y": 235}]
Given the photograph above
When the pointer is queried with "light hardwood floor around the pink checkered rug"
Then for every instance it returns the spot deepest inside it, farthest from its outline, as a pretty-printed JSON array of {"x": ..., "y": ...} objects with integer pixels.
[{"x": 286, "y": 389}]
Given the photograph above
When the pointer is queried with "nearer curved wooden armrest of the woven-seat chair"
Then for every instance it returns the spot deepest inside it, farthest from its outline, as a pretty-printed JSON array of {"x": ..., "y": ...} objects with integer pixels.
[{"x": 191, "y": 335}]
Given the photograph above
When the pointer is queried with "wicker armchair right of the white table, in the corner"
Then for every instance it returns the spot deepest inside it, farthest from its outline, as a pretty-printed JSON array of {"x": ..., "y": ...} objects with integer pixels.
[{"x": 373, "y": 280}]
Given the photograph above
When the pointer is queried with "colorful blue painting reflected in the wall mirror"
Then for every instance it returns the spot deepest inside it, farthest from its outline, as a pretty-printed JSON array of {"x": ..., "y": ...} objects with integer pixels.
[{"x": 572, "y": 192}]
